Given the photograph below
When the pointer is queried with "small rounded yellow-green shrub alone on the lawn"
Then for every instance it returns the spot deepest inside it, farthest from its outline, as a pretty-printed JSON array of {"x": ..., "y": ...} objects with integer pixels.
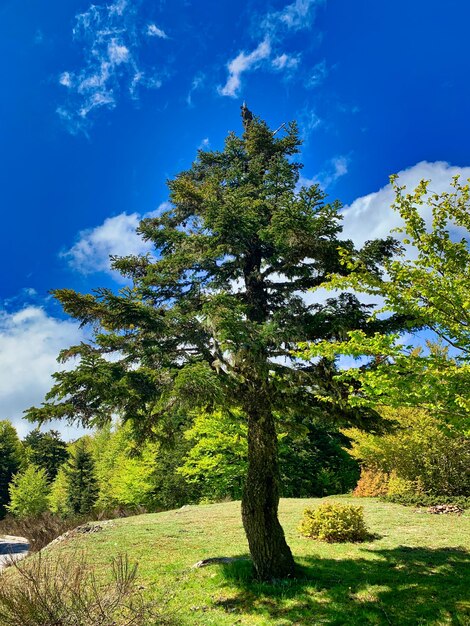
[{"x": 334, "y": 522}]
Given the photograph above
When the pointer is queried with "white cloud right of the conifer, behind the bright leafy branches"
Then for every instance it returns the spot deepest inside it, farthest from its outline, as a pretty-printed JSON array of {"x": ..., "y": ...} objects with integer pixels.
[{"x": 371, "y": 216}]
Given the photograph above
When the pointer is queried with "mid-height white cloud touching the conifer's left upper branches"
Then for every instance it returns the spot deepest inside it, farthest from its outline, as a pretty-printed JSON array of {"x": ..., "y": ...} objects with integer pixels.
[{"x": 115, "y": 236}]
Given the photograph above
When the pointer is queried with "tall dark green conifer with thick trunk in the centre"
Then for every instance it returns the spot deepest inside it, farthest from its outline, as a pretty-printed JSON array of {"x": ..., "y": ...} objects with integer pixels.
[{"x": 209, "y": 321}]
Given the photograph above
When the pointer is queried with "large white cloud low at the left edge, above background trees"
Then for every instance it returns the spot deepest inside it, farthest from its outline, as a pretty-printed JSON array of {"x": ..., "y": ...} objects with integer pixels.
[{"x": 30, "y": 341}]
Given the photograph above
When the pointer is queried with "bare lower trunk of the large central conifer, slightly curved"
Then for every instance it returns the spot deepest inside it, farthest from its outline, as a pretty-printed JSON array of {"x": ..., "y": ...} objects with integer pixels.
[{"x": 270, "y": 553}]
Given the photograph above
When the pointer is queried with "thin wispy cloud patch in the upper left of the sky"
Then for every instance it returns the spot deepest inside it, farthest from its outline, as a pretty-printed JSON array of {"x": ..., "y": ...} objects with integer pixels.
[{"x": 110, "y": 38}]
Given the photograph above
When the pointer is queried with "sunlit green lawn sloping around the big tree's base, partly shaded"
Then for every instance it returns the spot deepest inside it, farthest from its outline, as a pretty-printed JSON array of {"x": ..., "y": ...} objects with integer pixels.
[{"x": 415, "y": 571}]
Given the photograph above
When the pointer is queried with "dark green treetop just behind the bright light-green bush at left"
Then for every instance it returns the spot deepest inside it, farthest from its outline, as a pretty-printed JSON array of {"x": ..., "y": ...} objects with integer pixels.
[{"x": 46, "y": 450}]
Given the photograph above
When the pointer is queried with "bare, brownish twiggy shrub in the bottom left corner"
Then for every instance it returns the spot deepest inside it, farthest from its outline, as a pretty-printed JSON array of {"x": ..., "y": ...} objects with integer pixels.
[{"x": 65, "y": 592}]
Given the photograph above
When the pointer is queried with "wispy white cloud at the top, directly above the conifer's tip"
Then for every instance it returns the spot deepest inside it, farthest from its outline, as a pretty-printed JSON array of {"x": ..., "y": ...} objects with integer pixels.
[{"x": 275, "y": 26}]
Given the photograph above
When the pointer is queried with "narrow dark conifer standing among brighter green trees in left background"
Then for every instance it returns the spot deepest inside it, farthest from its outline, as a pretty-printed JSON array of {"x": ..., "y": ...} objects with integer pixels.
[{"x": 82, "y": 486}]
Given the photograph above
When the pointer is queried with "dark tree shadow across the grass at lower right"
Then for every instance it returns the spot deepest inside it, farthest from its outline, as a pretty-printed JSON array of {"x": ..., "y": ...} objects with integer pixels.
[{"x": 399, "y": 586}]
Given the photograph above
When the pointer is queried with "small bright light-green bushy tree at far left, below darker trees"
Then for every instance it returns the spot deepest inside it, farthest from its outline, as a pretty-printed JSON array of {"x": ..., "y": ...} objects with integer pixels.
[{"x": 29, "y": 492}]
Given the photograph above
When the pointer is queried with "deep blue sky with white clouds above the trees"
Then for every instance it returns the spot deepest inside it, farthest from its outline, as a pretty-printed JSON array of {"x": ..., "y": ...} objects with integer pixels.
[{"x": 103, "y": 103}]
